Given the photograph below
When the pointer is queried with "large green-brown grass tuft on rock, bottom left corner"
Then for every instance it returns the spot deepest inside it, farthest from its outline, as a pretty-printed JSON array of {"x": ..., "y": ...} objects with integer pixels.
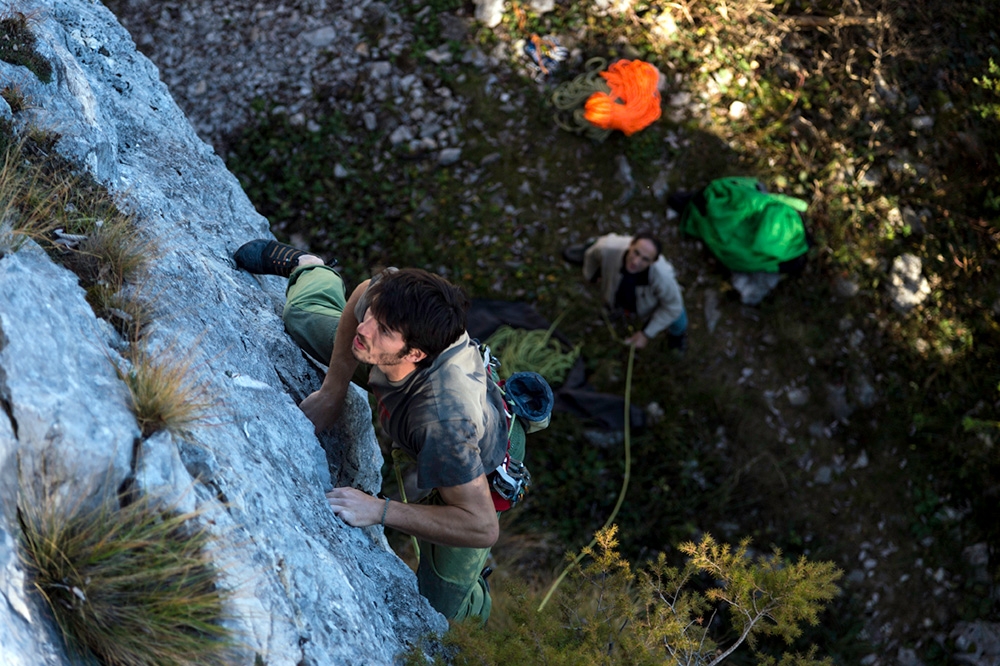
[{"x": 129, "y": 584}]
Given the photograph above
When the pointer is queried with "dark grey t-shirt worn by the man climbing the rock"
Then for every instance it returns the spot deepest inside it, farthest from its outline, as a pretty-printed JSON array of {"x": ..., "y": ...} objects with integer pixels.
[{"x": 447, "y": 417}]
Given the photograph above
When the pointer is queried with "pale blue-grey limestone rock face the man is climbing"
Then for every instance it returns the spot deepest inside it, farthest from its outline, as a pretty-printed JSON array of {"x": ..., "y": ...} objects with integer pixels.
[{"x": 308, "y": 588}]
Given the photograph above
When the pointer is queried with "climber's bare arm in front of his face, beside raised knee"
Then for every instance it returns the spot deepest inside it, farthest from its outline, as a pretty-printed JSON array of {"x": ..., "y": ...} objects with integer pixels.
[{"x": 323, "y": 407}]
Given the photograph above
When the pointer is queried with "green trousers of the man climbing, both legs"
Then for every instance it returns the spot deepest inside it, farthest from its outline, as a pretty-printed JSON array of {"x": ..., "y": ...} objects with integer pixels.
[{"x": 449, "y": 577}]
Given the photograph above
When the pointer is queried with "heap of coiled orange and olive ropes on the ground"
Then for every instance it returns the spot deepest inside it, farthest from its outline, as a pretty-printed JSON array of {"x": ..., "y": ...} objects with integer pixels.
[{"x": 624, "y": 97}]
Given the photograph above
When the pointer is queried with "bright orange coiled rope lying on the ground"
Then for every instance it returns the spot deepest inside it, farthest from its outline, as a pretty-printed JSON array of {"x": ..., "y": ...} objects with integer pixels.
[{"x": 634, "y": 101}]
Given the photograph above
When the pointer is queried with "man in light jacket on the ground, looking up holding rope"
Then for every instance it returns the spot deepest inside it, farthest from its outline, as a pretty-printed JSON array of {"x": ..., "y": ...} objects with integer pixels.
[{"x": 637, "y": 280}]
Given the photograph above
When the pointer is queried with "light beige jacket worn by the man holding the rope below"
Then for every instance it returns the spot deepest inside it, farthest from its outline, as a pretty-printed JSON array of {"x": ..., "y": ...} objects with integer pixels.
[{"x": 660, "y": 301}]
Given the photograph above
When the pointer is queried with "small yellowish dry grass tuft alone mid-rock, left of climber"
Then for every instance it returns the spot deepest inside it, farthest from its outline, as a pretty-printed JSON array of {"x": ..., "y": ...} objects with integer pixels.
[{"x": 165, "y": 393}]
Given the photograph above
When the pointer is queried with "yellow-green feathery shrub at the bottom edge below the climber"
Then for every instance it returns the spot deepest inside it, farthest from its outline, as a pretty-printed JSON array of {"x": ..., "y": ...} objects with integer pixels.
[{"x": 657, "y": 615}]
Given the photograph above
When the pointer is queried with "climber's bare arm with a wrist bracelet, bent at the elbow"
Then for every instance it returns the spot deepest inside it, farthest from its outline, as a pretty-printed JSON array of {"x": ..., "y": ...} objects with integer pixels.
[{"x": 467, "y": 519}]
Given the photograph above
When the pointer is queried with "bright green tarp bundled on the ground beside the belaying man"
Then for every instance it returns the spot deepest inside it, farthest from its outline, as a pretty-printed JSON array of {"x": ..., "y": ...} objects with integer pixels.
[{"x": 748, "y": 230}]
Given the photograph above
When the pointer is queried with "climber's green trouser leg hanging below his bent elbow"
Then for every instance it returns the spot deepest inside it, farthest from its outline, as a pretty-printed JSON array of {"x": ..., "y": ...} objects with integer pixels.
[{"x": 451, "y": 577}]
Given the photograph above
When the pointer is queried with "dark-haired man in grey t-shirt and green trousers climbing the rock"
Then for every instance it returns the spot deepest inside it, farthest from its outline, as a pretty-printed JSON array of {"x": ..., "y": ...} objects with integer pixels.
[{"x": 435, "y": 401}]
